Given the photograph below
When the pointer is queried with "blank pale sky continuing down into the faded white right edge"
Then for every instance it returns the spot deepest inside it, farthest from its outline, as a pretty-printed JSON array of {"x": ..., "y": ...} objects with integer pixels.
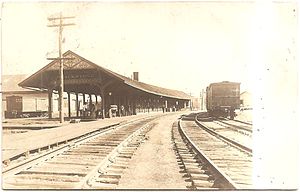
[{"x": 184, "y": 46}]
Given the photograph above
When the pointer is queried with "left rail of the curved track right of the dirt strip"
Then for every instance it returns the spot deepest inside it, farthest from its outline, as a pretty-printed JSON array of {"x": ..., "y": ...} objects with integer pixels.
[{"x": 224, "y": 180}]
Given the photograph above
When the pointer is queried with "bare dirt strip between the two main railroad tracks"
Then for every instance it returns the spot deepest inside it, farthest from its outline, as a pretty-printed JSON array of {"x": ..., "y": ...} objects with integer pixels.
[{"x": 154, "y": 165}]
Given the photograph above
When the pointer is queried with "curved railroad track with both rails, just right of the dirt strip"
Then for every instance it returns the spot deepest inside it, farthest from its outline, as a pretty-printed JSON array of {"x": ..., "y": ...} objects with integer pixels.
[{"x": 226, "y": 163}]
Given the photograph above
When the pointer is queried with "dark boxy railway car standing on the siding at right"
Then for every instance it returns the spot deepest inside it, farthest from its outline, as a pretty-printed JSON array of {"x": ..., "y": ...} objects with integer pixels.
[{"x": 222, "y": 99}]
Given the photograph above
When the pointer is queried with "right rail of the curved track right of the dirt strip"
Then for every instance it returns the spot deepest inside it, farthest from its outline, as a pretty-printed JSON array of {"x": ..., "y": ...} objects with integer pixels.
[{"x": 229, "y": 141}]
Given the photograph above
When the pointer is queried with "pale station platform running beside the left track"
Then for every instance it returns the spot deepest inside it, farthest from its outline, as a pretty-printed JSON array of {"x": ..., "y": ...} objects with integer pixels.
[{"x": 18, "y": 143}]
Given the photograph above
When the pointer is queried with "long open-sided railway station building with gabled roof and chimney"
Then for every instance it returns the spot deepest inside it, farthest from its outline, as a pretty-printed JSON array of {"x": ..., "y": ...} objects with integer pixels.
[{"x": 93, "y": 91}]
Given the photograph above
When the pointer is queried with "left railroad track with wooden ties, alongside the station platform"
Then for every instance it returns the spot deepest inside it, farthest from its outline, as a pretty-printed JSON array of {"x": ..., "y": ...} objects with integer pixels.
[{"x": 95, "y": 161}]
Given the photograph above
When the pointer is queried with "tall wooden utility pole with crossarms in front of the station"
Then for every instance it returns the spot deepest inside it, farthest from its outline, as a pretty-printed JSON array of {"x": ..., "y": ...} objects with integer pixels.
[{"x": 60, "y": 26}]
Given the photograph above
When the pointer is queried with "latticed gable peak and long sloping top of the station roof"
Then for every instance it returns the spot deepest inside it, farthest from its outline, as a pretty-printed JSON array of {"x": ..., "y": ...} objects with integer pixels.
[{"x": 78, "y": 62}]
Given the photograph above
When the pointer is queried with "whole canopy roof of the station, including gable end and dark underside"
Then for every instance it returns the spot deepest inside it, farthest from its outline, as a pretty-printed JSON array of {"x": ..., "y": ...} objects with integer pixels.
[{"x": 82, "y": 75}]
